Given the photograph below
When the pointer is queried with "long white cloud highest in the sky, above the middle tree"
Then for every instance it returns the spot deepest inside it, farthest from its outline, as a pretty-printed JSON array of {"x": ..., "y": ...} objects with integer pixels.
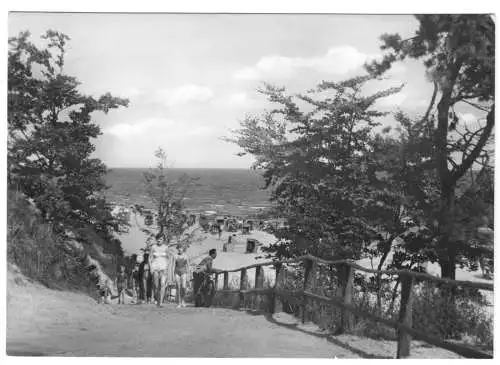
[{"x": 337, "y": 61}]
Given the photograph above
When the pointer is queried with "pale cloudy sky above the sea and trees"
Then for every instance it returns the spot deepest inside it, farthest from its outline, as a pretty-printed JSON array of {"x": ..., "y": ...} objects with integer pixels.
[{"x": 191, "y": 78}]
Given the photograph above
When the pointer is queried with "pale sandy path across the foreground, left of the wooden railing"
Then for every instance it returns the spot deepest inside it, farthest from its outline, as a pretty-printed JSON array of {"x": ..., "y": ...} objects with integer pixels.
[{"x": 44, "y": 322}]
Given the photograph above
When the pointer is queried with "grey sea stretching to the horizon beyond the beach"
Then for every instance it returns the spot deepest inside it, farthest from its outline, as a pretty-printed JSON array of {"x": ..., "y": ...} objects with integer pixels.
[{"x": 226, "y": 191}]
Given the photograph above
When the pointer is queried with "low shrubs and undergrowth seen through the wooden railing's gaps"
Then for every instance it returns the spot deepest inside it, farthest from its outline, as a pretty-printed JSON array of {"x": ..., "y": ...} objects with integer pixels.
[{"x": 437, "y": 310}]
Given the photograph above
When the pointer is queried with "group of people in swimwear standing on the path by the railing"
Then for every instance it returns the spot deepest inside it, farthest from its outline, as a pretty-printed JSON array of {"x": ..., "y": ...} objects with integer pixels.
[{"x": 163, "y": 267}]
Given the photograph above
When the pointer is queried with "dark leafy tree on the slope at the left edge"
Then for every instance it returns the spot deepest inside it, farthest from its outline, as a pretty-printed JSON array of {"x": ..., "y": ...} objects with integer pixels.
[{"x": 50, "y": 133}]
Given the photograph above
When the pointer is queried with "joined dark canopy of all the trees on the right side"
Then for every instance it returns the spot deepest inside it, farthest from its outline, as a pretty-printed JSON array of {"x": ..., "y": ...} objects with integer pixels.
[{"x": 348, "y": 190}]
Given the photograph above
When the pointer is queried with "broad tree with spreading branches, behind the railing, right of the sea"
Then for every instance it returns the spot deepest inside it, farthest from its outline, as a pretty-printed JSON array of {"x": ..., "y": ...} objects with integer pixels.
[{"x": 317, "y": 165}]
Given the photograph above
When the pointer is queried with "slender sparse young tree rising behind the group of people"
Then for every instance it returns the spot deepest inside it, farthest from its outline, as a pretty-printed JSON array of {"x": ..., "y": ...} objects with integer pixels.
[{"x": 167, "y": 196}]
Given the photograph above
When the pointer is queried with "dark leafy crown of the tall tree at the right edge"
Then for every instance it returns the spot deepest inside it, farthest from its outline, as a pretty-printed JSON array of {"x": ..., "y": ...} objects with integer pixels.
[{"x": 458, "y": 52}]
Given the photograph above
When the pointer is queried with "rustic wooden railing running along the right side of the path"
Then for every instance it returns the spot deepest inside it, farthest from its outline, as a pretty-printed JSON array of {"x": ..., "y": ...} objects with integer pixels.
[{"x": 345, "y": 275}]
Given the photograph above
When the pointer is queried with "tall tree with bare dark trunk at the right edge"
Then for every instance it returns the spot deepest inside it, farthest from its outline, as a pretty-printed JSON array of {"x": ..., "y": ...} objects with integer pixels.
[{"x": 459, "y": 53}]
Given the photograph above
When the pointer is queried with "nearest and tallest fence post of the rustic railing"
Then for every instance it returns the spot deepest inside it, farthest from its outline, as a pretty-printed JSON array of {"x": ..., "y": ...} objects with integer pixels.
[{"x": 405, "y": 316}]
